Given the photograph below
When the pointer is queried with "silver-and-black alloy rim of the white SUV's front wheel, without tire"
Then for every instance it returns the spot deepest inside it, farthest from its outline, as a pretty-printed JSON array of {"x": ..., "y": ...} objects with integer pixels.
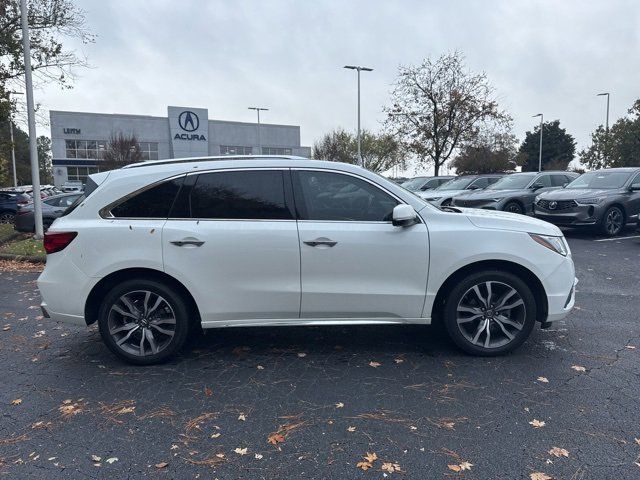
[{"x": 491, "y": 314}]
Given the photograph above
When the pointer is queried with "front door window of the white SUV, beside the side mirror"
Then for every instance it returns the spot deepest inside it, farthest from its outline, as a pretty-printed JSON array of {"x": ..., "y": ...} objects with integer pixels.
[{"x": 338, "y": 197}]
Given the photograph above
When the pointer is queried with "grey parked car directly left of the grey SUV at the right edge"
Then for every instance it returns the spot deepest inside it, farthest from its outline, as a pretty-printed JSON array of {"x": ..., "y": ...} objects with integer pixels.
[{"x": 515, "y": 193}]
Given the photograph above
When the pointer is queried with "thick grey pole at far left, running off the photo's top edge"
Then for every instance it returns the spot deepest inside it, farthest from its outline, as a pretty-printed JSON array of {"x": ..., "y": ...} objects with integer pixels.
[{"x": 33, "y": 147}]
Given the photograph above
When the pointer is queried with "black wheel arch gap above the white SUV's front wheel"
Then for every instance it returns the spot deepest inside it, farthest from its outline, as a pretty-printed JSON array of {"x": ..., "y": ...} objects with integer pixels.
[{"x": 530, "y": 278}]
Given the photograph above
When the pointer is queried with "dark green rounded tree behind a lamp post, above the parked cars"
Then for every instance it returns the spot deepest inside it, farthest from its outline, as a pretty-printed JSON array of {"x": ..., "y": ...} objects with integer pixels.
[{"x": 558, "y": 148}]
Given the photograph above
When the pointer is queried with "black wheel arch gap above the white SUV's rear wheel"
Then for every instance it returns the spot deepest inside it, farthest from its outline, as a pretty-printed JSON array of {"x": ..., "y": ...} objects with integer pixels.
[{"x": 100, "y": 289}]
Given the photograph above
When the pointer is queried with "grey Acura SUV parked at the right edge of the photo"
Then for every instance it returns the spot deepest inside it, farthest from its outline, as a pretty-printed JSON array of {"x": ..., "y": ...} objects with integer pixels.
[{"x": 605, "y": 199}]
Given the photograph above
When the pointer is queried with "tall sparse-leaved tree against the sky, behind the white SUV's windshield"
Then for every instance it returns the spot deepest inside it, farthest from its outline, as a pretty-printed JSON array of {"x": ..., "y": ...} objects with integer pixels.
[{"x": 438, "y": 105}]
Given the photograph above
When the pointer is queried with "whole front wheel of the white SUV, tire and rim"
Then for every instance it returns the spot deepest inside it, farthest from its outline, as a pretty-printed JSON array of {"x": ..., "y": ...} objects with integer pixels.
[{"x": 490, "y": 313}]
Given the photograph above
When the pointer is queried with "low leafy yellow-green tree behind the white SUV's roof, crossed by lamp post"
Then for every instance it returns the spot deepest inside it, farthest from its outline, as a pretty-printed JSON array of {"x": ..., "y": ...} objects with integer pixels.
[{"x": 380, "y": 152}]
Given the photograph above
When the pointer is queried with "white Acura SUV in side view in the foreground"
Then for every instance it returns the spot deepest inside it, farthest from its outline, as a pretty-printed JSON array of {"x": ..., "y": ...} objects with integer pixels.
[{"x": 156, "y": 250}]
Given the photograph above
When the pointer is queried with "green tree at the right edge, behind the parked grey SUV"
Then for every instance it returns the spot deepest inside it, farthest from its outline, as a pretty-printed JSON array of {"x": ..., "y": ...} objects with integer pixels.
[{"x": 620, "y": 147}]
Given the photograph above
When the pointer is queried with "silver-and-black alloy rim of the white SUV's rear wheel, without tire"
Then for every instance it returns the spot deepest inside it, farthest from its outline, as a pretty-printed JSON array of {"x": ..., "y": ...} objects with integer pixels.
[{"x": 141, "y": 323}]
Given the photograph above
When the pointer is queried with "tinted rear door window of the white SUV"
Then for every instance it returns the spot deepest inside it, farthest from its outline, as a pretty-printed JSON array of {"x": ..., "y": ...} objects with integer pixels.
[{"x": 255, "y": 195}]
